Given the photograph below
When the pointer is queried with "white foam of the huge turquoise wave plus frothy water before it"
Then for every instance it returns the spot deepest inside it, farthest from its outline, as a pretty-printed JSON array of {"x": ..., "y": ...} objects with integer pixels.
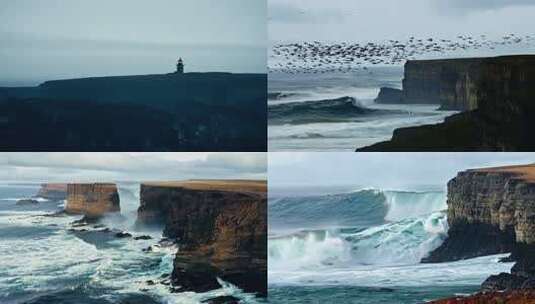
[{"x": 388, "y": 254}]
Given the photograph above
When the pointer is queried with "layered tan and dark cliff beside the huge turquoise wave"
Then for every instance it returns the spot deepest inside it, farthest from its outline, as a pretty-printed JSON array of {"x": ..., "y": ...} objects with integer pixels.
[{"x": 492, "y": 211}]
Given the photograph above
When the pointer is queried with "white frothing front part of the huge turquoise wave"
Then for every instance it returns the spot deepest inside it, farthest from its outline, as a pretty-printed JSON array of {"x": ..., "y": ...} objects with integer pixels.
[{"x": 403, "y": 242}]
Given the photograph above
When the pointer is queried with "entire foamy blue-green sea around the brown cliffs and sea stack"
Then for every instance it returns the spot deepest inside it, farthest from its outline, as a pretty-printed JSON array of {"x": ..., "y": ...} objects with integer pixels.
[{"x": 44, "y": 259}]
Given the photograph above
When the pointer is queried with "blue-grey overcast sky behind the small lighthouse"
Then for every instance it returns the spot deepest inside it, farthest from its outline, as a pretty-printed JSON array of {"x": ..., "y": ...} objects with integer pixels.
[{"x": 51, "y": 39}]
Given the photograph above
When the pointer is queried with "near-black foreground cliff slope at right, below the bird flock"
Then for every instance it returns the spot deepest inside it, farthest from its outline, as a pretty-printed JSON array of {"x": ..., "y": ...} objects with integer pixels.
[{"x": 498, "y": 94}]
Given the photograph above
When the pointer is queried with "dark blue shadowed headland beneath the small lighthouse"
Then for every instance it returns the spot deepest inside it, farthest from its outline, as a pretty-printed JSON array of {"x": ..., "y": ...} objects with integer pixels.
[{"x": 187, "y": 112}]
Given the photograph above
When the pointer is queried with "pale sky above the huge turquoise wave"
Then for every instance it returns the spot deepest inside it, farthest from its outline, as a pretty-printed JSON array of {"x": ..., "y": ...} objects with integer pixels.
[{"x": 401, "y": 171}]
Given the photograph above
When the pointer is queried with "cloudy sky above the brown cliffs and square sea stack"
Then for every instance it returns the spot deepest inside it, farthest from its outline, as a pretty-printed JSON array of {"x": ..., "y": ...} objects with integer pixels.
[{"x": 107, "y": 167}]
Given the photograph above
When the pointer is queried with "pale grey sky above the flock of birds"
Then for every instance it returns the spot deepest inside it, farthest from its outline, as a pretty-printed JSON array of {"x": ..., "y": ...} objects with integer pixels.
[{"x": 377, "y": 20}]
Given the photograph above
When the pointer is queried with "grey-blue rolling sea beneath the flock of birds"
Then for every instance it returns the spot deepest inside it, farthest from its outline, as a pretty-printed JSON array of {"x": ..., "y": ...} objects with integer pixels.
[{"x": 339, "y": 126}]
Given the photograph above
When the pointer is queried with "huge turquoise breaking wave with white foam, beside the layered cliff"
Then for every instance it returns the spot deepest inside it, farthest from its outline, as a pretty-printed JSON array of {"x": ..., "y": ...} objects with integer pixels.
[{"x": 377, "y": 227}]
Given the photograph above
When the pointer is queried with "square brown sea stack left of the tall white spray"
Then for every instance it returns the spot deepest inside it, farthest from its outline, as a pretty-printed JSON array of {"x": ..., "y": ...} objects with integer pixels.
[{"x": 92, "y": 200}]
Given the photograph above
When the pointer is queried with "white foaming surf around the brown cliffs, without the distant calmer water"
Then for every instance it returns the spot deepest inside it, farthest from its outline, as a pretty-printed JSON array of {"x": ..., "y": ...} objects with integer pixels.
[{"x": 40, "y": 256}]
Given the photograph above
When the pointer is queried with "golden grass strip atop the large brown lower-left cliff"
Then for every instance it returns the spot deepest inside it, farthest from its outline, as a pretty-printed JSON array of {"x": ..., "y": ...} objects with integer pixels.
[{"x": 213, "y": 184}]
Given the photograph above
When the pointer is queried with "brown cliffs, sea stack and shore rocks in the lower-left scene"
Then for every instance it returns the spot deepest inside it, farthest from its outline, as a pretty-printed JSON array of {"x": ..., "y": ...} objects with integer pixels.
[{"x": 218, "y": 228}]
